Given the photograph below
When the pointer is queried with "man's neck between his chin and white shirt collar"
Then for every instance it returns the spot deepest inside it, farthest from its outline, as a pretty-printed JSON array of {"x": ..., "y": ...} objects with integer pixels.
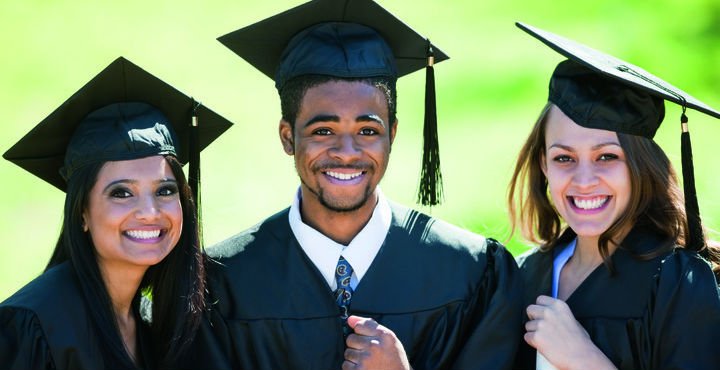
[{"x": 341, "y": 227}]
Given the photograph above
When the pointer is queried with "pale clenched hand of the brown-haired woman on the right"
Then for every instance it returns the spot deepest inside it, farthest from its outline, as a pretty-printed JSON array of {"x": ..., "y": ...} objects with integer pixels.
[{"x": 555, "y": 333}]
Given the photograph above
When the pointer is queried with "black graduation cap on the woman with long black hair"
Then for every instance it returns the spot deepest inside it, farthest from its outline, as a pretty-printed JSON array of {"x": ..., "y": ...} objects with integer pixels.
[{"x": 122, "y": 113}]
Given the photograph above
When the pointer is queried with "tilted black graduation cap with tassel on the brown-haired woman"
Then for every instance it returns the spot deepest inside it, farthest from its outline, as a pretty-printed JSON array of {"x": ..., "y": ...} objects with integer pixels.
[{"x": 597, "y": 90}]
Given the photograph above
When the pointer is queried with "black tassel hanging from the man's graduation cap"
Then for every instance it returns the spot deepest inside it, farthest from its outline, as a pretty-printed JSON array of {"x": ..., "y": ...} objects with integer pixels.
[{"x": 430, "y": 191}]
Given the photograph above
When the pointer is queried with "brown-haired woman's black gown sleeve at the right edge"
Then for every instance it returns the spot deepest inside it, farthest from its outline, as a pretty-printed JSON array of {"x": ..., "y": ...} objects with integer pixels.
[{"x": 686, "y": 315}]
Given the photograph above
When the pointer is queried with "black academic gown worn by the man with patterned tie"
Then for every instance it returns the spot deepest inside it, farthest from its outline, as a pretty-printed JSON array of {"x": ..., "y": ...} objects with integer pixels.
[{"x": 451, "y": 297}]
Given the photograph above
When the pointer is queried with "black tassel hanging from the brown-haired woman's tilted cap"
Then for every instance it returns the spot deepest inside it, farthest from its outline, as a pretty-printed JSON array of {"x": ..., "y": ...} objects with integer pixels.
[{"x": 695, "y": 239}]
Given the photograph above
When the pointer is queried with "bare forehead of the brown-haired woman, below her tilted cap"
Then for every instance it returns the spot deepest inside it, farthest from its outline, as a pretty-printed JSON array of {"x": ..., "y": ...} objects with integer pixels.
[{"x": 561, "y": 129}]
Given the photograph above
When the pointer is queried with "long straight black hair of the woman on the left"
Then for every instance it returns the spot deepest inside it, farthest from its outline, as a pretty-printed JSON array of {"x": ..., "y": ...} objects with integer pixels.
[{"x": 176, "y": 285}]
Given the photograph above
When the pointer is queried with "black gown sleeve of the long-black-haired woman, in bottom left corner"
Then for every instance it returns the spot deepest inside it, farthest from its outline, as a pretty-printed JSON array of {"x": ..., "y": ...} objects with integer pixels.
[{"x": 22, "y": 342}]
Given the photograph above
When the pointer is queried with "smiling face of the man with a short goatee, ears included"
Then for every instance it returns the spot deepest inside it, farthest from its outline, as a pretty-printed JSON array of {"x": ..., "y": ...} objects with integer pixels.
[{"x": 341, "y": 143}]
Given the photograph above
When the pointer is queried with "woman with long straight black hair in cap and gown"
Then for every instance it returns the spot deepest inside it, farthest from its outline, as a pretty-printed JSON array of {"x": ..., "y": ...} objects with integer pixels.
[{"x": 125, "y": 286}]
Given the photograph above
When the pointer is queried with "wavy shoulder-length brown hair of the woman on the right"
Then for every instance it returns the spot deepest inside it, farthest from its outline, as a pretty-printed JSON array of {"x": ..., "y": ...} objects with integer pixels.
[{"x": 656, "y": 201}]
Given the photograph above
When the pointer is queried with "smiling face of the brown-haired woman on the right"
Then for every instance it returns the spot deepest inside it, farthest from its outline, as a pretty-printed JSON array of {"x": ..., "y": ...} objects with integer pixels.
[{"x": 587, "y": 173}]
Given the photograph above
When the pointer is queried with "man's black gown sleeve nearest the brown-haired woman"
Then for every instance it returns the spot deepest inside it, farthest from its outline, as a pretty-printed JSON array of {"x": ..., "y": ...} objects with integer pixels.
[{"x": 498, "y": 330}]
